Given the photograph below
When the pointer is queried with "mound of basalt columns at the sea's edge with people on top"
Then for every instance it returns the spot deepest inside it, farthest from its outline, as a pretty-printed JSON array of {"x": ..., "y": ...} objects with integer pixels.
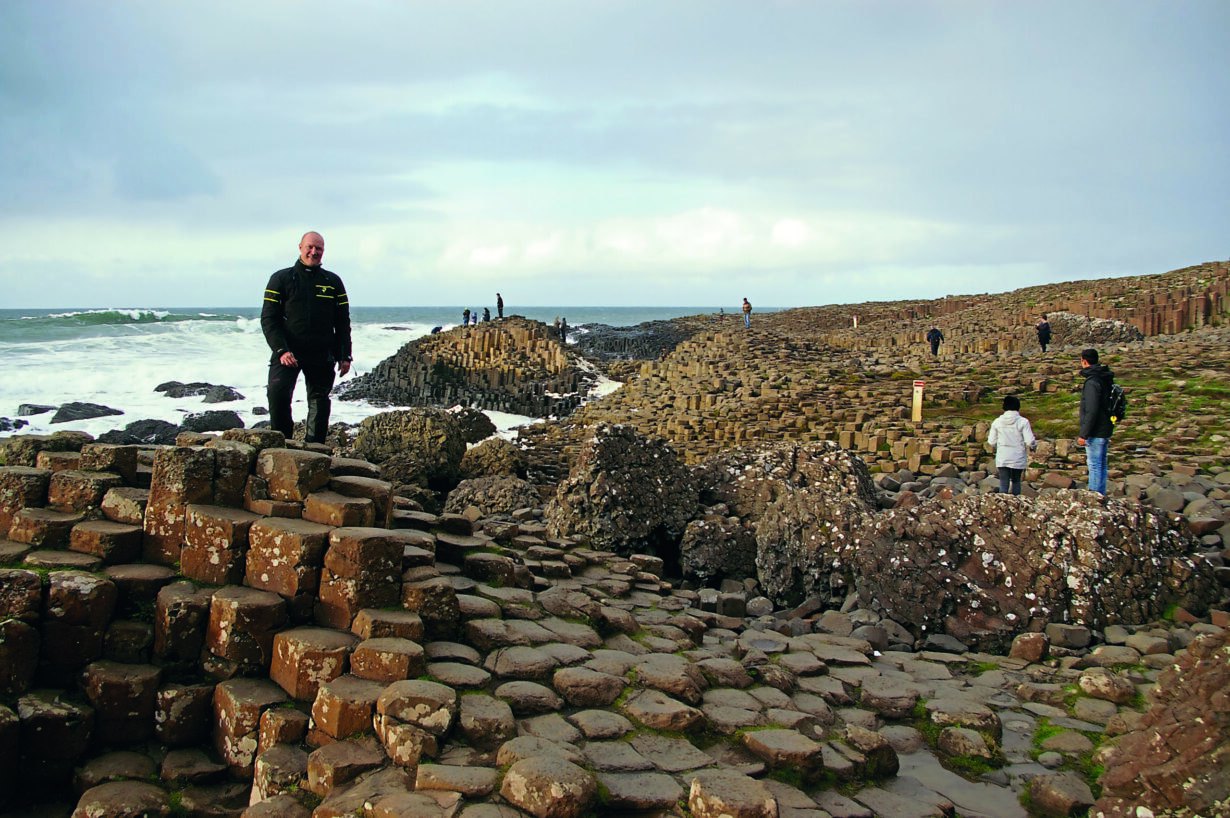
[{"x": 511, "y": 366}]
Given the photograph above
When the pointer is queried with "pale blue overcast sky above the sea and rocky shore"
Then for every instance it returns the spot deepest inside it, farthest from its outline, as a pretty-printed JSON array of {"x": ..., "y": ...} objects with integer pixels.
[{"x": 621, "y": 153}]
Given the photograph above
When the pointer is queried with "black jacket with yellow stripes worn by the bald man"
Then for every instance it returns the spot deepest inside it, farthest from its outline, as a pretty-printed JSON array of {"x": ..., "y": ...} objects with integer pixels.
[{"x": 307, "y": 312}]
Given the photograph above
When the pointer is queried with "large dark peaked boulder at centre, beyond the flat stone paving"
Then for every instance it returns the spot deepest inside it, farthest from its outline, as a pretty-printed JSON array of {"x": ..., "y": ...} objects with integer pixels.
[{"x": 628, "y": 494}]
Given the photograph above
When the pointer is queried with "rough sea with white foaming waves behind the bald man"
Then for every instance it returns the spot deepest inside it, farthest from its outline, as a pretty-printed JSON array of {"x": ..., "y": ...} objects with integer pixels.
[{"x": 116, "y": 357}]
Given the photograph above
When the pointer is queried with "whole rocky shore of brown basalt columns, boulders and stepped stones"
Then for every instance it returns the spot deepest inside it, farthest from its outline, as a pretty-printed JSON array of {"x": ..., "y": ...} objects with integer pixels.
[{"x": 745, "y": 585}]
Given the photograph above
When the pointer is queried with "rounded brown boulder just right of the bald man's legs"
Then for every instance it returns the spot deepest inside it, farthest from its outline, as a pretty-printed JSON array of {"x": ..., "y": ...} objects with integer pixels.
[{"x": 413, "y": 446}]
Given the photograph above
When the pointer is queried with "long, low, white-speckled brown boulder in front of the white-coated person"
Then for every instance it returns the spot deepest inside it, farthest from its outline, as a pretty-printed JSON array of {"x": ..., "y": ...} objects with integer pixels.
[{"x": 986, "y": 568}]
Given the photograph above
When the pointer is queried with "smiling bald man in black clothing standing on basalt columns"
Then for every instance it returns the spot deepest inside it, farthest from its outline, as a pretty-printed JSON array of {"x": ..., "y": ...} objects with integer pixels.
[{"x": 307, "y": 322}]
